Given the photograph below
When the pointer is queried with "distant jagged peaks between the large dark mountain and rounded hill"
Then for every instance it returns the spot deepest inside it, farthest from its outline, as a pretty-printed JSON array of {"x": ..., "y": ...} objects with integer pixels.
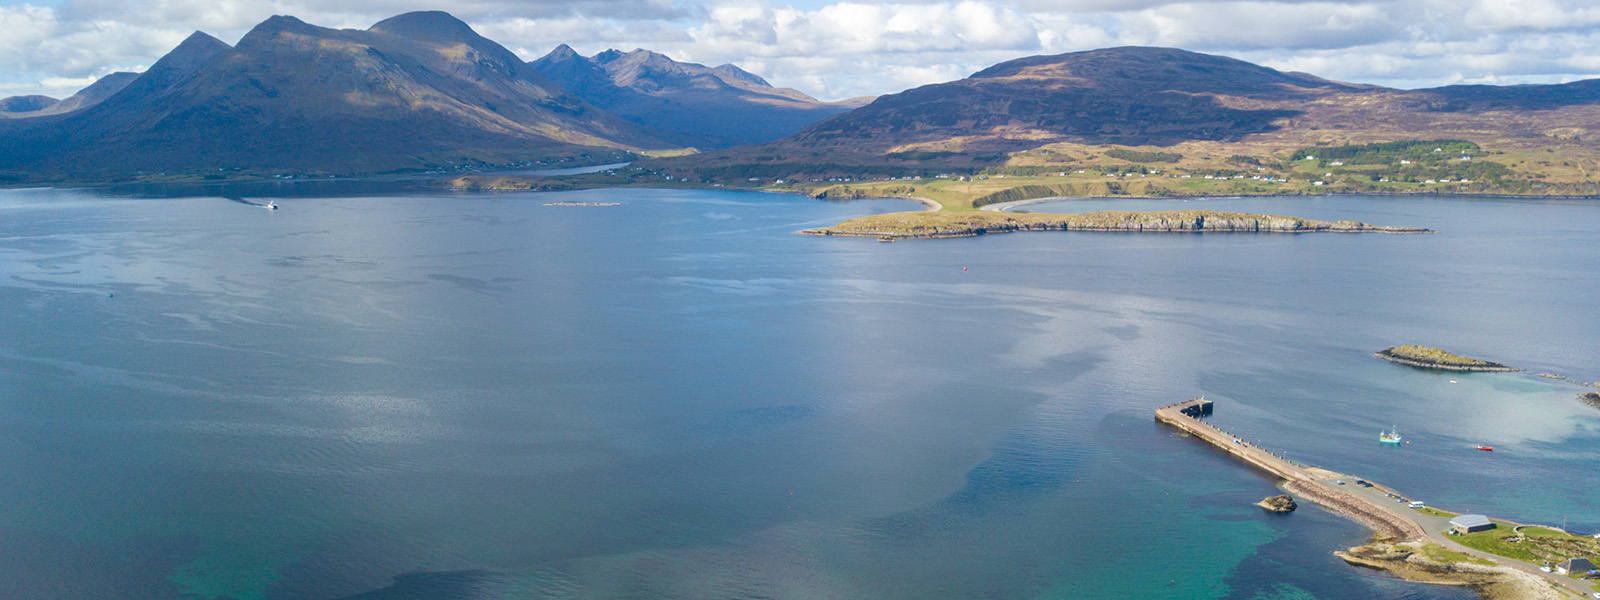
[{"x": 702, "y": 106}]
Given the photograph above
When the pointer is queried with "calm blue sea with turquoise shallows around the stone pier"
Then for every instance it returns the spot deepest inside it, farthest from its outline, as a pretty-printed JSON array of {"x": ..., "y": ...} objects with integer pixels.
[{"x": 410, "y": 396}]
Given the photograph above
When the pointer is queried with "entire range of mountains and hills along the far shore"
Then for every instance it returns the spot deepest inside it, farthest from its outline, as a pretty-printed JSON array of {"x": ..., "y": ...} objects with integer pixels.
[{"x": 425, "y": 92}]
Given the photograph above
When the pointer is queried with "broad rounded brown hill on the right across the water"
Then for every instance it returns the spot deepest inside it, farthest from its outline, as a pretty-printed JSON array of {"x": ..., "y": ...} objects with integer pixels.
[{"x": 1060, "y": 111}]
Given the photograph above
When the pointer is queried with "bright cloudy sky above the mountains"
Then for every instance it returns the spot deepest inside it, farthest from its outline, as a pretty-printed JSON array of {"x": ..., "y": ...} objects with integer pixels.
[{"x": 836, "y": 50}]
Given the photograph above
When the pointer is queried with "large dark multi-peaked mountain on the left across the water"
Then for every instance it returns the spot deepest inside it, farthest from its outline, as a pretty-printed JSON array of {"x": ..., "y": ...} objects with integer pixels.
[{"x": 415, "y": 92}]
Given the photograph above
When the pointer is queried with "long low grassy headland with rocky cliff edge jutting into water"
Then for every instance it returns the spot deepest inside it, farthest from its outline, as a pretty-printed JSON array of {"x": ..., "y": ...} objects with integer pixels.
[{"x": 935, "y": 225}]
